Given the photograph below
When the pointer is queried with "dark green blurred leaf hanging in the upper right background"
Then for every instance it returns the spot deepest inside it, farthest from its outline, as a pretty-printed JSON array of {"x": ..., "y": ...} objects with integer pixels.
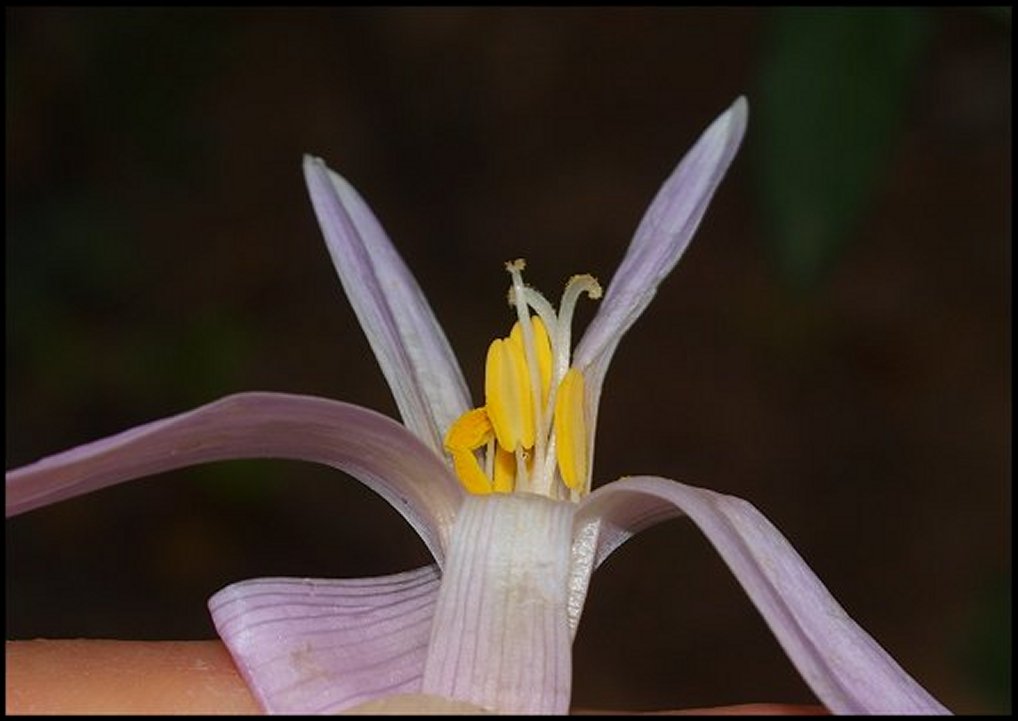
[{"x": 833, "y": 92}]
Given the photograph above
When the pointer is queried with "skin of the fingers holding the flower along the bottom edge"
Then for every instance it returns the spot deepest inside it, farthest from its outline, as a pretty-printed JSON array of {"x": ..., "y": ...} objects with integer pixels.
[{"x": 185, "y": 678}]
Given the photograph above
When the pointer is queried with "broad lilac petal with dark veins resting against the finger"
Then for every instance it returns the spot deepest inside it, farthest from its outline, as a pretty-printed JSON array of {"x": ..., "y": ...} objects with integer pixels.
[{"x": 319, "y": 646}]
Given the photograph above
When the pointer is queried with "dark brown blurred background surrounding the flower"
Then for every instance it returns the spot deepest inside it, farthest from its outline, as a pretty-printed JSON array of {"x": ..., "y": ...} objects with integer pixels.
[{"x": 835, "y": 346}]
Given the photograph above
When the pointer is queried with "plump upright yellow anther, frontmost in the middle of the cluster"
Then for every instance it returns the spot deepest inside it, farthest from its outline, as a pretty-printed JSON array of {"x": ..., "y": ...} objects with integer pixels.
[{"x": 507, "y": 396}]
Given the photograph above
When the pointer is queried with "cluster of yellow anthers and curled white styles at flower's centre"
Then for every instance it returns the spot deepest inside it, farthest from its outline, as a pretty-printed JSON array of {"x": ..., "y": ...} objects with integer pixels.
[{"x": 531, "y": 435}]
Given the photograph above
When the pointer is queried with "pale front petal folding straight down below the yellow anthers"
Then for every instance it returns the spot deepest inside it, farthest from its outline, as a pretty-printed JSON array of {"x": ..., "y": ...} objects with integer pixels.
[{"x": 501, "y": 637}]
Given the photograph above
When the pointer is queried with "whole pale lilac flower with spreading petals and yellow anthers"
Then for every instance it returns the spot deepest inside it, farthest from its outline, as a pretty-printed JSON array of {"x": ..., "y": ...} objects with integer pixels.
[{"x": 500, "y": 493}]
